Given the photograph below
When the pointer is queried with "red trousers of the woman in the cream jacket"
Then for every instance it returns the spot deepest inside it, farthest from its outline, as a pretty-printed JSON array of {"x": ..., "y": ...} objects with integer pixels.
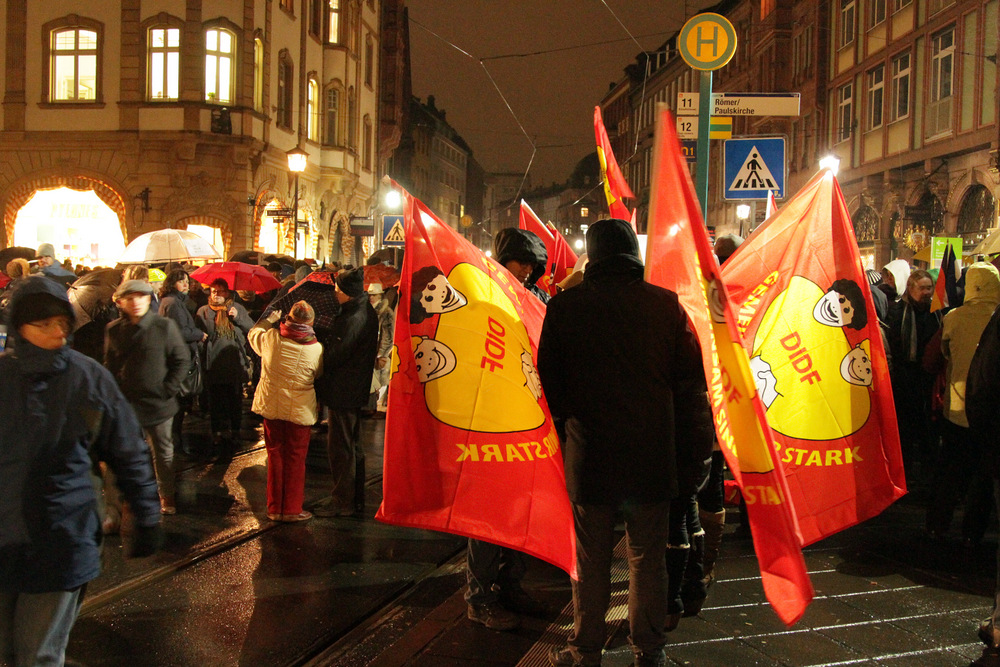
[{"x": 287, "y": 445}]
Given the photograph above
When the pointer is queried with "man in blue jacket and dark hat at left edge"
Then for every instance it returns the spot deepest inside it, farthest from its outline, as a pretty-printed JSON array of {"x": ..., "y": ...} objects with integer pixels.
[{"x": 61, "y": 413}]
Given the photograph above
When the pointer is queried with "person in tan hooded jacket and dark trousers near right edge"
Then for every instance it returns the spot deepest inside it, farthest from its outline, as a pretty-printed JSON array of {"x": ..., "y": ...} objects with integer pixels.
[{"x": 962, "y": 450}]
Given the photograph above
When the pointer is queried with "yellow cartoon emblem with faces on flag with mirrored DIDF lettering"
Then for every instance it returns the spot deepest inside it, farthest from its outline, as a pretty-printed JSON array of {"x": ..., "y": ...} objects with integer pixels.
[{"x": 476, "y": 368}]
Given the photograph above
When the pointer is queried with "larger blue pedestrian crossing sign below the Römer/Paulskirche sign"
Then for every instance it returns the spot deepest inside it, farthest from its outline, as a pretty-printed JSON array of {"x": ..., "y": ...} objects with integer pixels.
[{"x": 753, "y": 167}]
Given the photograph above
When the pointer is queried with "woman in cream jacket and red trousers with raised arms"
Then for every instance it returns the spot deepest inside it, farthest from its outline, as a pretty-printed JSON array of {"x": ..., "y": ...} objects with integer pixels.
[{"x": 291, "y": 360}]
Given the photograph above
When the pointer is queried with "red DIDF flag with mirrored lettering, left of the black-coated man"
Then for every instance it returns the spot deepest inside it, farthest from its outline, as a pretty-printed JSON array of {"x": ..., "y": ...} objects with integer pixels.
[{"x": 470, "y": 447}]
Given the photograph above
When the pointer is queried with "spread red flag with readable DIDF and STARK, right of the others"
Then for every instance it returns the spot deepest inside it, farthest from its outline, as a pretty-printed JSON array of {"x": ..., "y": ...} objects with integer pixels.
[{"x": 810, "y": 328}]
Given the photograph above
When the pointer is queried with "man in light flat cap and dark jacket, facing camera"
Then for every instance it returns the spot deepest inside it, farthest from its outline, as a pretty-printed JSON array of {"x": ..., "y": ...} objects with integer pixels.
[{"x": 148, "y": 357}]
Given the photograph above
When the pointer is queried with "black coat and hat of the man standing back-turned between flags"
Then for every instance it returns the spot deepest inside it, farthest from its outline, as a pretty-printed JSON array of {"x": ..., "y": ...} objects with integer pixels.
[{"x": 623, "y": 376}]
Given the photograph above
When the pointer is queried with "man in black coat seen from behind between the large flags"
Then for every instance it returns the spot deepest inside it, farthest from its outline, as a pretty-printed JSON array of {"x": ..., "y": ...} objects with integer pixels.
[{"x": 623, "y": 376}]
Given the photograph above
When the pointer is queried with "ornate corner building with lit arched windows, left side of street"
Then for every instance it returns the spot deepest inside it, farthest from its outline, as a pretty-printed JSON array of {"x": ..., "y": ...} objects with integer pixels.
[{"x": 179, "y": 113}]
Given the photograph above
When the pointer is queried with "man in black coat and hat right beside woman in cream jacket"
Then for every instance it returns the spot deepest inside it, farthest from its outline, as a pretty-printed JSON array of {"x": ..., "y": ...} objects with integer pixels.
[{"x": 349, "y": 351}]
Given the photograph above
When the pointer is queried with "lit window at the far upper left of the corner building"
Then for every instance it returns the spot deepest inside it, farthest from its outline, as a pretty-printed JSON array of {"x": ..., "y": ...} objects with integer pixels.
[{"x": 73, "y": 47}]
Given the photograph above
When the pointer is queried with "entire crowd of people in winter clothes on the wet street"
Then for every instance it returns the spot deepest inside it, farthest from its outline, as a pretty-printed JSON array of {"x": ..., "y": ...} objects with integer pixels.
[{"x": 111, "y": 387}]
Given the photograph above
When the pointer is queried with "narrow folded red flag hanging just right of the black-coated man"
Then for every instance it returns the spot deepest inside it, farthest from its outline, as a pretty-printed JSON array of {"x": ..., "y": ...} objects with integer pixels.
[{"x": 679, "y": 257}]
